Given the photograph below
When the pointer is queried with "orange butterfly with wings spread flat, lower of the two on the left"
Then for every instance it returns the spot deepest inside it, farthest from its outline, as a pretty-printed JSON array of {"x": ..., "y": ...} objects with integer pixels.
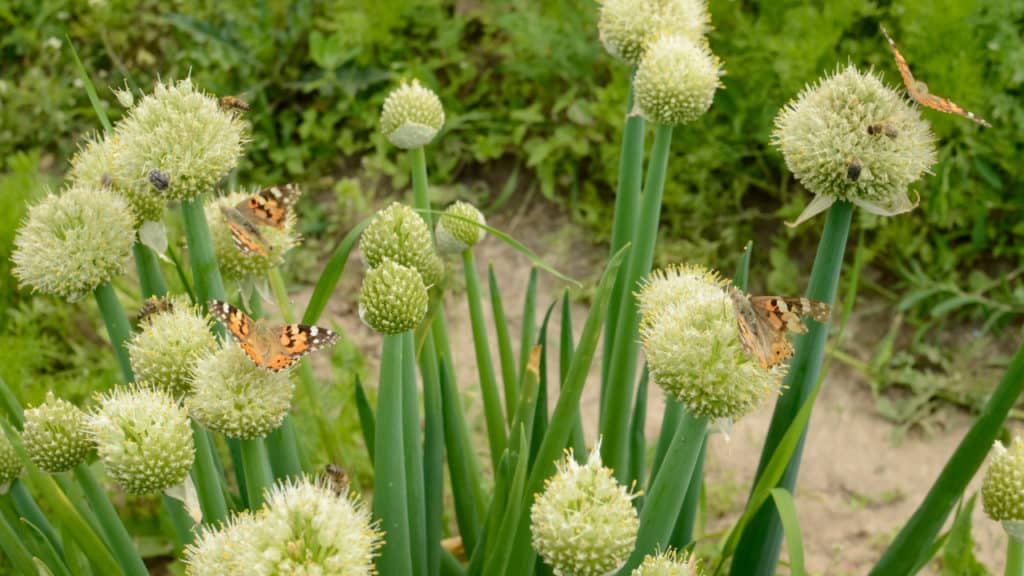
[{"x": 272, "y": 347}]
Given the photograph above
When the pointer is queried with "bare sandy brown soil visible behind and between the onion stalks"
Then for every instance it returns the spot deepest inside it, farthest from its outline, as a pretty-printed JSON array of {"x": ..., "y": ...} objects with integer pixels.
[{"x": 857, "y": 487}]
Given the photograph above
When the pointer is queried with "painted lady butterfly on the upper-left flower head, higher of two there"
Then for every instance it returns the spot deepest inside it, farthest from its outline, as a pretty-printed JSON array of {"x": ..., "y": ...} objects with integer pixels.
[{"x": 268, "y": 208}]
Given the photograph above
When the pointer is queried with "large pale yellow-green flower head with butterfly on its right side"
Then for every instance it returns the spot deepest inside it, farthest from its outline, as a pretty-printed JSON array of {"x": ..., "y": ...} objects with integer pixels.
[{"x": 690, "y": 336}]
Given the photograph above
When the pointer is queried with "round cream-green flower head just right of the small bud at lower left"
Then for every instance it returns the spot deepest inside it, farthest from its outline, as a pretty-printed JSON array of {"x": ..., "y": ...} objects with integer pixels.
[{"x": 144, "y": 439}]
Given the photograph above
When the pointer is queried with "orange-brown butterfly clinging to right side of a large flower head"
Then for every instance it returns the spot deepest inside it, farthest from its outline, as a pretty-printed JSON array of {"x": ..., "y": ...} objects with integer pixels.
[{"x": 764, "y": 322}]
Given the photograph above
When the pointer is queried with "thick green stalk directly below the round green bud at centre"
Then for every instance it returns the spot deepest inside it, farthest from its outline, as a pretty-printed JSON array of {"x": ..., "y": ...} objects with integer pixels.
[{"x": 391, "y": 505}]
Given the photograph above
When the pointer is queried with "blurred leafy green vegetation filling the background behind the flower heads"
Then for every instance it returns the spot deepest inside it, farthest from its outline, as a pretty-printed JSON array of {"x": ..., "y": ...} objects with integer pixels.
[{"x": 535, "y": 109}]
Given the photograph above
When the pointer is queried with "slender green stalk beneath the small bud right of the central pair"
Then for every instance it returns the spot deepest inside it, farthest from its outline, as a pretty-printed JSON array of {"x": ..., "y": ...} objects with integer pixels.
[{"x": 489, "y": 388}]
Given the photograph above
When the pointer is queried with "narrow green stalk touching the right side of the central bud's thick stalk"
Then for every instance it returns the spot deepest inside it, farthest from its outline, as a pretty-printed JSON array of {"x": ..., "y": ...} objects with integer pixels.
[{"x": 414, "y": 457}]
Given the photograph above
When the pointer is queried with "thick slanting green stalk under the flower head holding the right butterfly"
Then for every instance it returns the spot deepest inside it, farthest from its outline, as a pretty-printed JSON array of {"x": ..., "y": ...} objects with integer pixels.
[{"x": 665, "y": 499}]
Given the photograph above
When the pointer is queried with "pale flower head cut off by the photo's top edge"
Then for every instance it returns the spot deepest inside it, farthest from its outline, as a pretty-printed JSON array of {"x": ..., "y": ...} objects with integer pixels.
[{"x": 626, "y": 27}]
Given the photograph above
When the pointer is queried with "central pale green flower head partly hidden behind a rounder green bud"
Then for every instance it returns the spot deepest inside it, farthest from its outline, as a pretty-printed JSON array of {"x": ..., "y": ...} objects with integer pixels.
[{"x": 400, "y": 235}]
